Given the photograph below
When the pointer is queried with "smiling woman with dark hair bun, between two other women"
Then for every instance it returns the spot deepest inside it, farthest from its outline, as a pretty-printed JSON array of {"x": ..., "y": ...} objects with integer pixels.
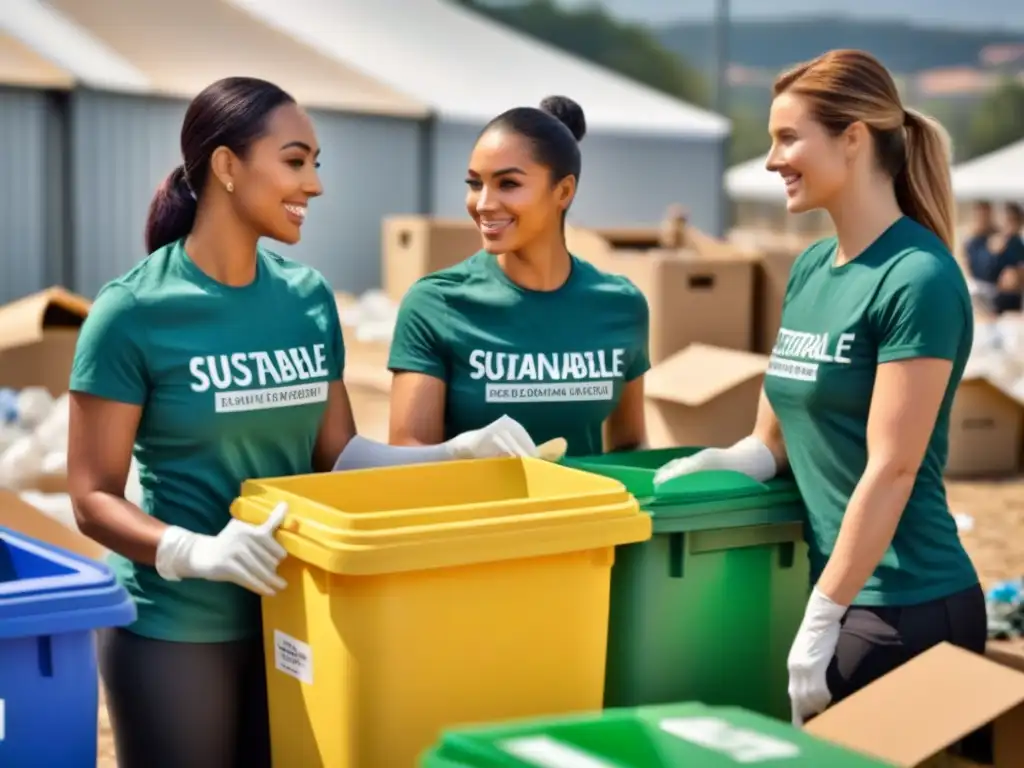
[{"x": 523, "y": 327}]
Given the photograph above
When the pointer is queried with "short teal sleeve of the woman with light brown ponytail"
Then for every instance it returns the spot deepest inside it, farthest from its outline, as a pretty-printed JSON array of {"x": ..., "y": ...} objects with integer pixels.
[{"x": 922, "y": 310}]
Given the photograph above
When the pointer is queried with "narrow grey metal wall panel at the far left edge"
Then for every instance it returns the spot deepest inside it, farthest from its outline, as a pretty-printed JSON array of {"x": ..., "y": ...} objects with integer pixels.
[{"x": 27, "y": 264}]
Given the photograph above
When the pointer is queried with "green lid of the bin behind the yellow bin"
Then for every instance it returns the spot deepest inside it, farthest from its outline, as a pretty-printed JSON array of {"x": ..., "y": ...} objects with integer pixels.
[{"x": 698, "y": 494}]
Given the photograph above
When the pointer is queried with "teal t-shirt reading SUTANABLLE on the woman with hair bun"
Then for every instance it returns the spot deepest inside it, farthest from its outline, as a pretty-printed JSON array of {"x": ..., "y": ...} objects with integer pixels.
[{"x": 554, "y": 361}]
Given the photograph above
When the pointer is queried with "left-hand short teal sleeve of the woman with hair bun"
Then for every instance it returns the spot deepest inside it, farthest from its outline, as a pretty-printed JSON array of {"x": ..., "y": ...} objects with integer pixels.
[{"x": 418, "y": 343}]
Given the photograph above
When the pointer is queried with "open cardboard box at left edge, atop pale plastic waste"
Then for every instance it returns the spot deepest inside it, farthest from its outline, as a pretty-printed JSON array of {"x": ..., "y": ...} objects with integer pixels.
[{"x": 37, "y": 339}]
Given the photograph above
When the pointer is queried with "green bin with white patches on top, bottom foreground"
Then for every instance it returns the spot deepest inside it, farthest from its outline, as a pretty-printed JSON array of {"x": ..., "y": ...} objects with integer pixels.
[{"x": 667, "y": 737}]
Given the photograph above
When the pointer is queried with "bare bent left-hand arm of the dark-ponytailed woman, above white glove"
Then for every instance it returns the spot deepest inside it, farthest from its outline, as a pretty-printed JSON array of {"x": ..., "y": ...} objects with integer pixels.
[{"x": 101, "y": 438}]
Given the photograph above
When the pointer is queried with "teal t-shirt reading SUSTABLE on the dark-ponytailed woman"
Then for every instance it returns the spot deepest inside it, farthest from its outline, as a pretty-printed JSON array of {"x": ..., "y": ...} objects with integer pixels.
[{"x": 233, "y": 383}]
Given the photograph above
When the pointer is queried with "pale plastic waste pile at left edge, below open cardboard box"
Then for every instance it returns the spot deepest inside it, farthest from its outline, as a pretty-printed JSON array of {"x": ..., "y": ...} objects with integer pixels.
[{"x": 34, "y": 441}]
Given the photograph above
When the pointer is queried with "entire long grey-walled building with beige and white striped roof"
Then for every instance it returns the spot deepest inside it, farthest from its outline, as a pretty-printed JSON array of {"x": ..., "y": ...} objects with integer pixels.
[{"x": 399, "y": 91}]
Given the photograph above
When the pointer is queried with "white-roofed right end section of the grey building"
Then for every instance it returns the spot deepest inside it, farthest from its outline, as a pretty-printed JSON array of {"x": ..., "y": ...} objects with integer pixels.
[{"x": 644, "y": 152}]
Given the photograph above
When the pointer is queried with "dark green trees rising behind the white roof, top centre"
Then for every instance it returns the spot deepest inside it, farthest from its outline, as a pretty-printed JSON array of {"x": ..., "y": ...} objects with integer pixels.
[{"x": 590, "y": 33}]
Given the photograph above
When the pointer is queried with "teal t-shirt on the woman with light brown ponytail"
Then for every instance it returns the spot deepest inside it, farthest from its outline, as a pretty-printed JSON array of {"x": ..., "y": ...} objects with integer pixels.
[{"x": 904, "y": 297}]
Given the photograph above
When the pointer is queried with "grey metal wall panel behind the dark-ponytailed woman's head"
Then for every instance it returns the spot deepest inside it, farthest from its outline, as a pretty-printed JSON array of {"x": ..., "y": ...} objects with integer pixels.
[{"x": 125, "y": 146}]
